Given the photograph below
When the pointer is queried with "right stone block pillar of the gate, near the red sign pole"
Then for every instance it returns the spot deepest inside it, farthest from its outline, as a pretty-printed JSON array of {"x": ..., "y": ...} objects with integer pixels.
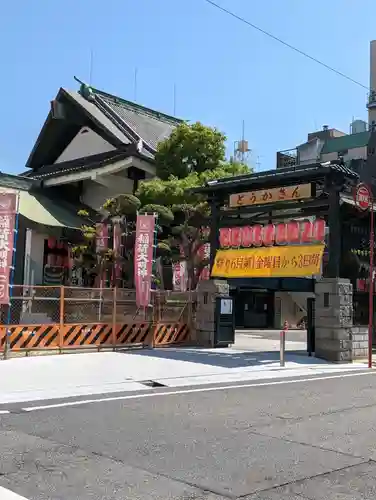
[{"x": 334, "y": 319}]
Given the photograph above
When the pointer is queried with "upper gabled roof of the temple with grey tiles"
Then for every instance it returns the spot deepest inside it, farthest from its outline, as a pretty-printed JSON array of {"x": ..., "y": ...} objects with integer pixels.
[{"x": 118, "y": 121}]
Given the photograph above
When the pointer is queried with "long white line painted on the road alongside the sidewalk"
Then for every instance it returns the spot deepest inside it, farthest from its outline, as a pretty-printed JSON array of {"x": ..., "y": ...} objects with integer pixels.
[{"x": 191, "y": 391}]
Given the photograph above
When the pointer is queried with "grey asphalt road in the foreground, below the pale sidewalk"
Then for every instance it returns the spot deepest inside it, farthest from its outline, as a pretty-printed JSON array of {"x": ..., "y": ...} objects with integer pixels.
[{"x": 310, "y": 439}]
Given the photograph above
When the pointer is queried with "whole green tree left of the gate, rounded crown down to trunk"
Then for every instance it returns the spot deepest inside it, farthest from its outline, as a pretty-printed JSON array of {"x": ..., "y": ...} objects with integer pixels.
[{"x": 189, "y": 158}]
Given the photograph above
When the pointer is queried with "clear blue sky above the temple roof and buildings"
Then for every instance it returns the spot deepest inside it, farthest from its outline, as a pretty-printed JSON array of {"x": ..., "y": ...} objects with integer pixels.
[{"x": 224, "y": 71}]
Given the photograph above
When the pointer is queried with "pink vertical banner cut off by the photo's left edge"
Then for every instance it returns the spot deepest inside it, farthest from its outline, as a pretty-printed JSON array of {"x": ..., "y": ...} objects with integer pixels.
[{"x": 8, "y": 208}]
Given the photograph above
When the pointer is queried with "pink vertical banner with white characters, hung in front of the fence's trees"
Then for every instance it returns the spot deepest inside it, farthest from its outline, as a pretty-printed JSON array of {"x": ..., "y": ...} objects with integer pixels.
[{"x": 143, "y": 258}]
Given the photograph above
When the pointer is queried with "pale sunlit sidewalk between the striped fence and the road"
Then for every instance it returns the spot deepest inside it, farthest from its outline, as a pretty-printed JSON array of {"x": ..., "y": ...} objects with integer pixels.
[{"x": 73, "y": 375}]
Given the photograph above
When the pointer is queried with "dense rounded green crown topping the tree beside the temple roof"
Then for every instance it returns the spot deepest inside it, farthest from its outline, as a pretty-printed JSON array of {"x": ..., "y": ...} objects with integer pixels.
[{"x": 190, "y": 148}]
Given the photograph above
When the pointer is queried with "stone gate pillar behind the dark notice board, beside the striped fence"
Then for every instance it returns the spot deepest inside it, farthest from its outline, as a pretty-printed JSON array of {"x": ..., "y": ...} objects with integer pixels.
[{"x": 207, "y": 292}]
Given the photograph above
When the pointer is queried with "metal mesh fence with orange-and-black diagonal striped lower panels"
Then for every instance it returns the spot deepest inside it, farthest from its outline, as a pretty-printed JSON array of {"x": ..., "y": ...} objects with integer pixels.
[{"x": 49, "y": 317}]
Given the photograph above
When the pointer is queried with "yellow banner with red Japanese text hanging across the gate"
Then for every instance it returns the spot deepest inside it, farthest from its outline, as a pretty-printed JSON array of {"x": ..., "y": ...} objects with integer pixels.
[{"x": 269, "y": 262}]
